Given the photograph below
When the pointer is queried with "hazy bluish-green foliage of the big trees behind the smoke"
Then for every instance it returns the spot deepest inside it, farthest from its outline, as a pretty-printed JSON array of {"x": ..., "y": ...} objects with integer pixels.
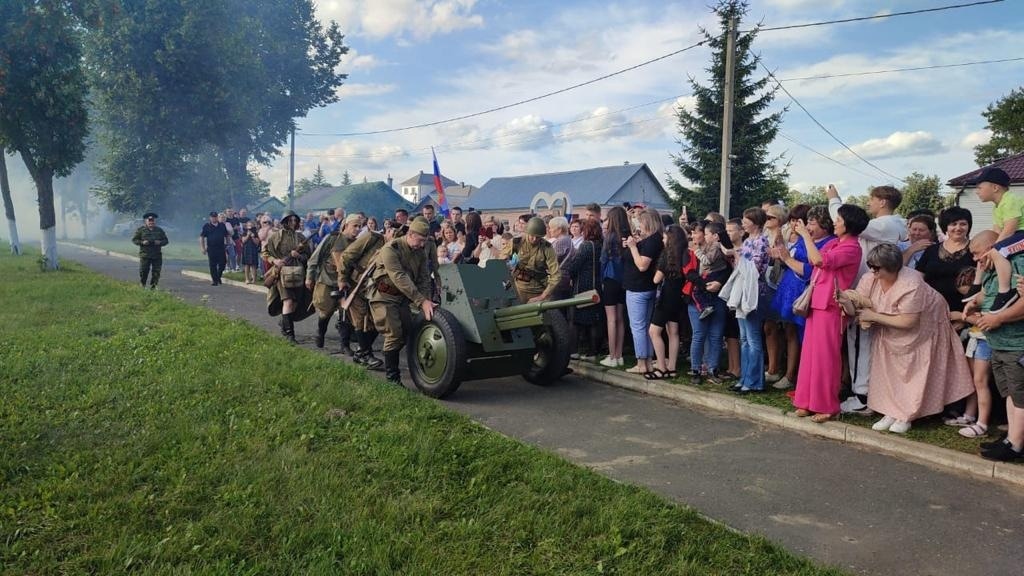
[{"x": 186, "y": 88}]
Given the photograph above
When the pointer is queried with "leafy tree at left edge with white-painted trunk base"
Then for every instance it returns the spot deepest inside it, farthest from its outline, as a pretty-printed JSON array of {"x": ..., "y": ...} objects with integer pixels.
[{"x": 44, "y": 116}]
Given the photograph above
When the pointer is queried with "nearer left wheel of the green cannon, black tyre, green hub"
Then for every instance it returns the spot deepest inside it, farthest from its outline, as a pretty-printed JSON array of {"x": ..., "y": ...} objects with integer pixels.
[{"x": 437, "y": 355}]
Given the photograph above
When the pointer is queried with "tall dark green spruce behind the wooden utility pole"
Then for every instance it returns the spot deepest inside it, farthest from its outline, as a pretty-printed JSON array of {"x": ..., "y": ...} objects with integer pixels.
[{"x": 755, "y": 177}]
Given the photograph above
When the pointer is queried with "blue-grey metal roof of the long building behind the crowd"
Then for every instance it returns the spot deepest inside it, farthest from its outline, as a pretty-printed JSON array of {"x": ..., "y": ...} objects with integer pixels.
[{"x": 583, "y": 187}]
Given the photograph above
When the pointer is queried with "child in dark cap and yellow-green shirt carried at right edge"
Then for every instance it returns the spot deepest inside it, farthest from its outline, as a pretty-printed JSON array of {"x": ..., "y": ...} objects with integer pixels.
[{"x": 993, "y": 186}]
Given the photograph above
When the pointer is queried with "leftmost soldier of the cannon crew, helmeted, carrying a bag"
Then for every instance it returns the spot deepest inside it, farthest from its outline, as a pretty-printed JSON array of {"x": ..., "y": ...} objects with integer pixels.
[{"x": 287, "y": 248}]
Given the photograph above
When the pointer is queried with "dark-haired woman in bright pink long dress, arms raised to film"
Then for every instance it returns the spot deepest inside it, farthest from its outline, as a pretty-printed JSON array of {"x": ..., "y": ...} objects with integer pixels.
[{"x": 837, "y": 264}]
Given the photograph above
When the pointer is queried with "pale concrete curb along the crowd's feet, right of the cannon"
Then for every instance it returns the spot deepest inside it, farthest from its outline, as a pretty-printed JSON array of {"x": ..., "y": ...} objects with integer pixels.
[{"x": 932, "y": 457}]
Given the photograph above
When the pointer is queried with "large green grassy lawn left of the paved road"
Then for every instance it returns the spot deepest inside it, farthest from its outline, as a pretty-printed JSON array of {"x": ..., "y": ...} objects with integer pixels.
[{"x": 141, "y": 434}]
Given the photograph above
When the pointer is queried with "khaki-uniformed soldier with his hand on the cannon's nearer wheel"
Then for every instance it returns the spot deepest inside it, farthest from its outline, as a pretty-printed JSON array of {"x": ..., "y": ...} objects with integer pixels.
[{"x": 402, "y": 280}]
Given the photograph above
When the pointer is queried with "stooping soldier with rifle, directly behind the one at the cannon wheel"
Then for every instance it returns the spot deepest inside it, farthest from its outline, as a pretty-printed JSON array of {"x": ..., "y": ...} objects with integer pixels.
[{"x": 352, "y": 263}]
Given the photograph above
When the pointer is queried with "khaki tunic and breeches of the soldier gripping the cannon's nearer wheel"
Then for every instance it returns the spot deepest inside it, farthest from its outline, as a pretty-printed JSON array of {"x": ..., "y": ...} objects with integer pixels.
[{"x": 402, "y": 280}]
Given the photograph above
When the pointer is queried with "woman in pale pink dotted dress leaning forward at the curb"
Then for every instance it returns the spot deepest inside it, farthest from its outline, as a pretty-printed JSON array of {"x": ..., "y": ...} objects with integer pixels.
[{"x": 918, "y": 364}]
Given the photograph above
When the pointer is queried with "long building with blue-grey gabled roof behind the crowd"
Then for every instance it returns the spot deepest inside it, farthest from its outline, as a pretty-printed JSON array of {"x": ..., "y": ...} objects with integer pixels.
[{"x": 561, "y": 193}]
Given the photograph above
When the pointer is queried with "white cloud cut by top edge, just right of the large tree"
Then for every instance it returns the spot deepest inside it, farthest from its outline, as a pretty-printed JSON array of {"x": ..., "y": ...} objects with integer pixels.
[{"x": 417, "y": 19}]
